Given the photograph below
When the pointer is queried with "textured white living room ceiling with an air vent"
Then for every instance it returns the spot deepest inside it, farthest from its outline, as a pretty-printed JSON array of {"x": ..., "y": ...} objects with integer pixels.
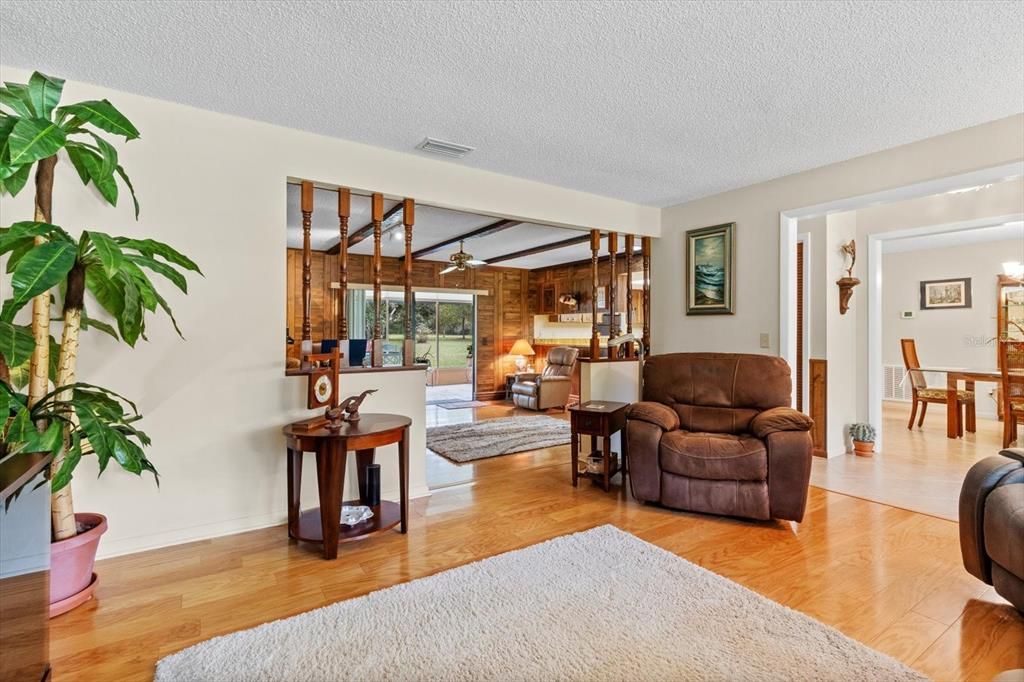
[{"x": 655, "y": 103}]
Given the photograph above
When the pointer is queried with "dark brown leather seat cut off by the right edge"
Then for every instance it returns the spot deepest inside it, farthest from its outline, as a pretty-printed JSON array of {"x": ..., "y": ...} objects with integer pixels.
[{"x": 992, "y": 524}]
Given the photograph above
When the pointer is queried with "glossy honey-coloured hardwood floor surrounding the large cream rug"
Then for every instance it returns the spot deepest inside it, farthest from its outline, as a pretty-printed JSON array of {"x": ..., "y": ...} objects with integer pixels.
[{"x": 887, "y": 577}]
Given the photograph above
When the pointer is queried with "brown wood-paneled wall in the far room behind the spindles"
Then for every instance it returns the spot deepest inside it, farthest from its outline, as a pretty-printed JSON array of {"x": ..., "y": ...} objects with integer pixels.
[{"x": 502, "y": 315}]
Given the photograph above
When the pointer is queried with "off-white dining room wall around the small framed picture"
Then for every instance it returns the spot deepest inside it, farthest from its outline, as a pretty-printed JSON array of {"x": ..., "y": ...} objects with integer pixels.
[{"x": 956, "y": 337}]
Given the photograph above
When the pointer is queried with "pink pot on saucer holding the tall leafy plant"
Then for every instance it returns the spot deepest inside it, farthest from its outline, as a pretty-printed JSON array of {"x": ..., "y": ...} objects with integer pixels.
[{"x": 72, "y": 580}]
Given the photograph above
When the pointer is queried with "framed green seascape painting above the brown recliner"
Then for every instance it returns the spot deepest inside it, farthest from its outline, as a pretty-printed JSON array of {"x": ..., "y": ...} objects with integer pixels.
[{"x": 710, "y": 276}]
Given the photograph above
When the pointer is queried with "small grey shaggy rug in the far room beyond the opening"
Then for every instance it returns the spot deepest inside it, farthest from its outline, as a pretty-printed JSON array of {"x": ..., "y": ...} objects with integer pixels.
[{"x": 491, "y": 438}]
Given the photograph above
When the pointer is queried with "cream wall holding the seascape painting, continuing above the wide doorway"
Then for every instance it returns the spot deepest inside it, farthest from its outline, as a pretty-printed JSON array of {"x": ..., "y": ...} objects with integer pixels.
[{"x": 756, "y": 211}]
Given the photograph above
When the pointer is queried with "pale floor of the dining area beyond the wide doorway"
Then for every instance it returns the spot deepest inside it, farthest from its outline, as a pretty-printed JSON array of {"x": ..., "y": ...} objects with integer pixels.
[{"x": 920, "y": 470}]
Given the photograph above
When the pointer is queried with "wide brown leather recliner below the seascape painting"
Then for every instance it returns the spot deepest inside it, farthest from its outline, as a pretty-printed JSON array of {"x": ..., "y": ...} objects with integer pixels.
[{"x": 715, "y": 434}]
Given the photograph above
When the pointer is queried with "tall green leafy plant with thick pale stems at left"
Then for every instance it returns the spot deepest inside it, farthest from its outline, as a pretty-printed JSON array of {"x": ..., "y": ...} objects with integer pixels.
[{"x": 48, "y": 265}]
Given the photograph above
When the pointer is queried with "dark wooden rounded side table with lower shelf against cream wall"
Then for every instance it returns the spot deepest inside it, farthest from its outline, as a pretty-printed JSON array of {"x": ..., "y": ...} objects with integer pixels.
[{"x": 323, "y": 525}]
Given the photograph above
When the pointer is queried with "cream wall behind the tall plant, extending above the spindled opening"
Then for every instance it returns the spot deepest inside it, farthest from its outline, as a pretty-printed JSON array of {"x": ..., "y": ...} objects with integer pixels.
[{"x": 214, "y": 186}]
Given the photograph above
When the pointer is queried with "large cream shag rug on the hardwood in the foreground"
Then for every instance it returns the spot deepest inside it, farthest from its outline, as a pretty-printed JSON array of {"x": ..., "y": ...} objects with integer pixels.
[{"x": 596, "y": 606}]
